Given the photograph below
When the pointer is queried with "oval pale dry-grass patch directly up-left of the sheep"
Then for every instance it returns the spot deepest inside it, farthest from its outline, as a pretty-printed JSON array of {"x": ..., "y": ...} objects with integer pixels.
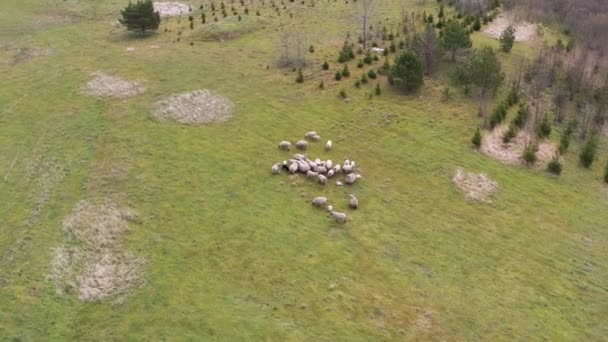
[{"x": 195, "y": 108}]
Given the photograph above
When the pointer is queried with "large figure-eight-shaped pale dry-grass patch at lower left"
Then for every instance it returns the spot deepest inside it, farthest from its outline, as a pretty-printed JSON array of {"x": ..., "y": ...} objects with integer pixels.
[{"x": 93, "y": 266}]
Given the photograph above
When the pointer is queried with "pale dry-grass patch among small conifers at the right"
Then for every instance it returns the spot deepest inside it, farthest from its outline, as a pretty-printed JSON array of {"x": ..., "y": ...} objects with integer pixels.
[{"x": 510, "y": 153}]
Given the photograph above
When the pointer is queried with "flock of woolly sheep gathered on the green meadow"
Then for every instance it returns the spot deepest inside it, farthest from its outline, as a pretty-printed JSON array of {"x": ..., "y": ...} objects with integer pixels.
[{"x": 319, "y": 170}]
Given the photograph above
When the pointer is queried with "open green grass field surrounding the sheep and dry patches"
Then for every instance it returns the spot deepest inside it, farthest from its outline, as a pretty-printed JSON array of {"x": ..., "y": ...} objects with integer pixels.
[{"x": 237, "y": 254}]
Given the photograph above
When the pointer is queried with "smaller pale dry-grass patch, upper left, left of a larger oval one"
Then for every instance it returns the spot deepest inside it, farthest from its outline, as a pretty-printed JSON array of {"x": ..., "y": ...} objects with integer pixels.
[{"x": 104, "y": 85}]
